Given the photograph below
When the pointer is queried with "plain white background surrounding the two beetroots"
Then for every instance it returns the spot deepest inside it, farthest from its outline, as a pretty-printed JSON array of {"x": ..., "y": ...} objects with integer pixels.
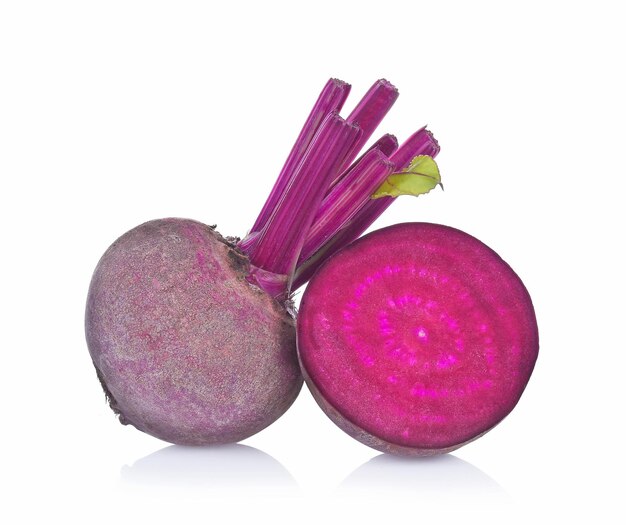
[{"x": 113, "y": 113}]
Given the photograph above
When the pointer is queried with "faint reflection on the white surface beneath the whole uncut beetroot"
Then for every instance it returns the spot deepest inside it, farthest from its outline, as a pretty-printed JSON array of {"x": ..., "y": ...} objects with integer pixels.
[{"x": 225, "y": 467}]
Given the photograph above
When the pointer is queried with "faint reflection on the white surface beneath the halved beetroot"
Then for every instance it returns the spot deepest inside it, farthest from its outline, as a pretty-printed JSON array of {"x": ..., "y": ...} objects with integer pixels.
[{"x": 444, "y": 475}]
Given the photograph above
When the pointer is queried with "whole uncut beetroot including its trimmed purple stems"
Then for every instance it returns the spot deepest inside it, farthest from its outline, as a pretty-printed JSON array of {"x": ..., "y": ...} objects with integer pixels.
[{"x": 192, "y": 335}]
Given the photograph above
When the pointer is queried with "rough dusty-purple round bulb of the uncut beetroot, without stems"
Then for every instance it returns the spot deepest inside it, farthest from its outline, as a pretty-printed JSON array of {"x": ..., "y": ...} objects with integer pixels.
[{"x": 185, "y": 347}]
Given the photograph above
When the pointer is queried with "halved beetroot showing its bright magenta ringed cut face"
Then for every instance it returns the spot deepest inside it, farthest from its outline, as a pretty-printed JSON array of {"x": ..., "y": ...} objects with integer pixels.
[{"x": 417, "y": 339}]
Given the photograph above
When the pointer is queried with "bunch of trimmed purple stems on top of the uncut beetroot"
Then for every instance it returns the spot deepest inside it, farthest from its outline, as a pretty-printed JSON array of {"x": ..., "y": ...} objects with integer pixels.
[{"x": 322, "y": 199}]
